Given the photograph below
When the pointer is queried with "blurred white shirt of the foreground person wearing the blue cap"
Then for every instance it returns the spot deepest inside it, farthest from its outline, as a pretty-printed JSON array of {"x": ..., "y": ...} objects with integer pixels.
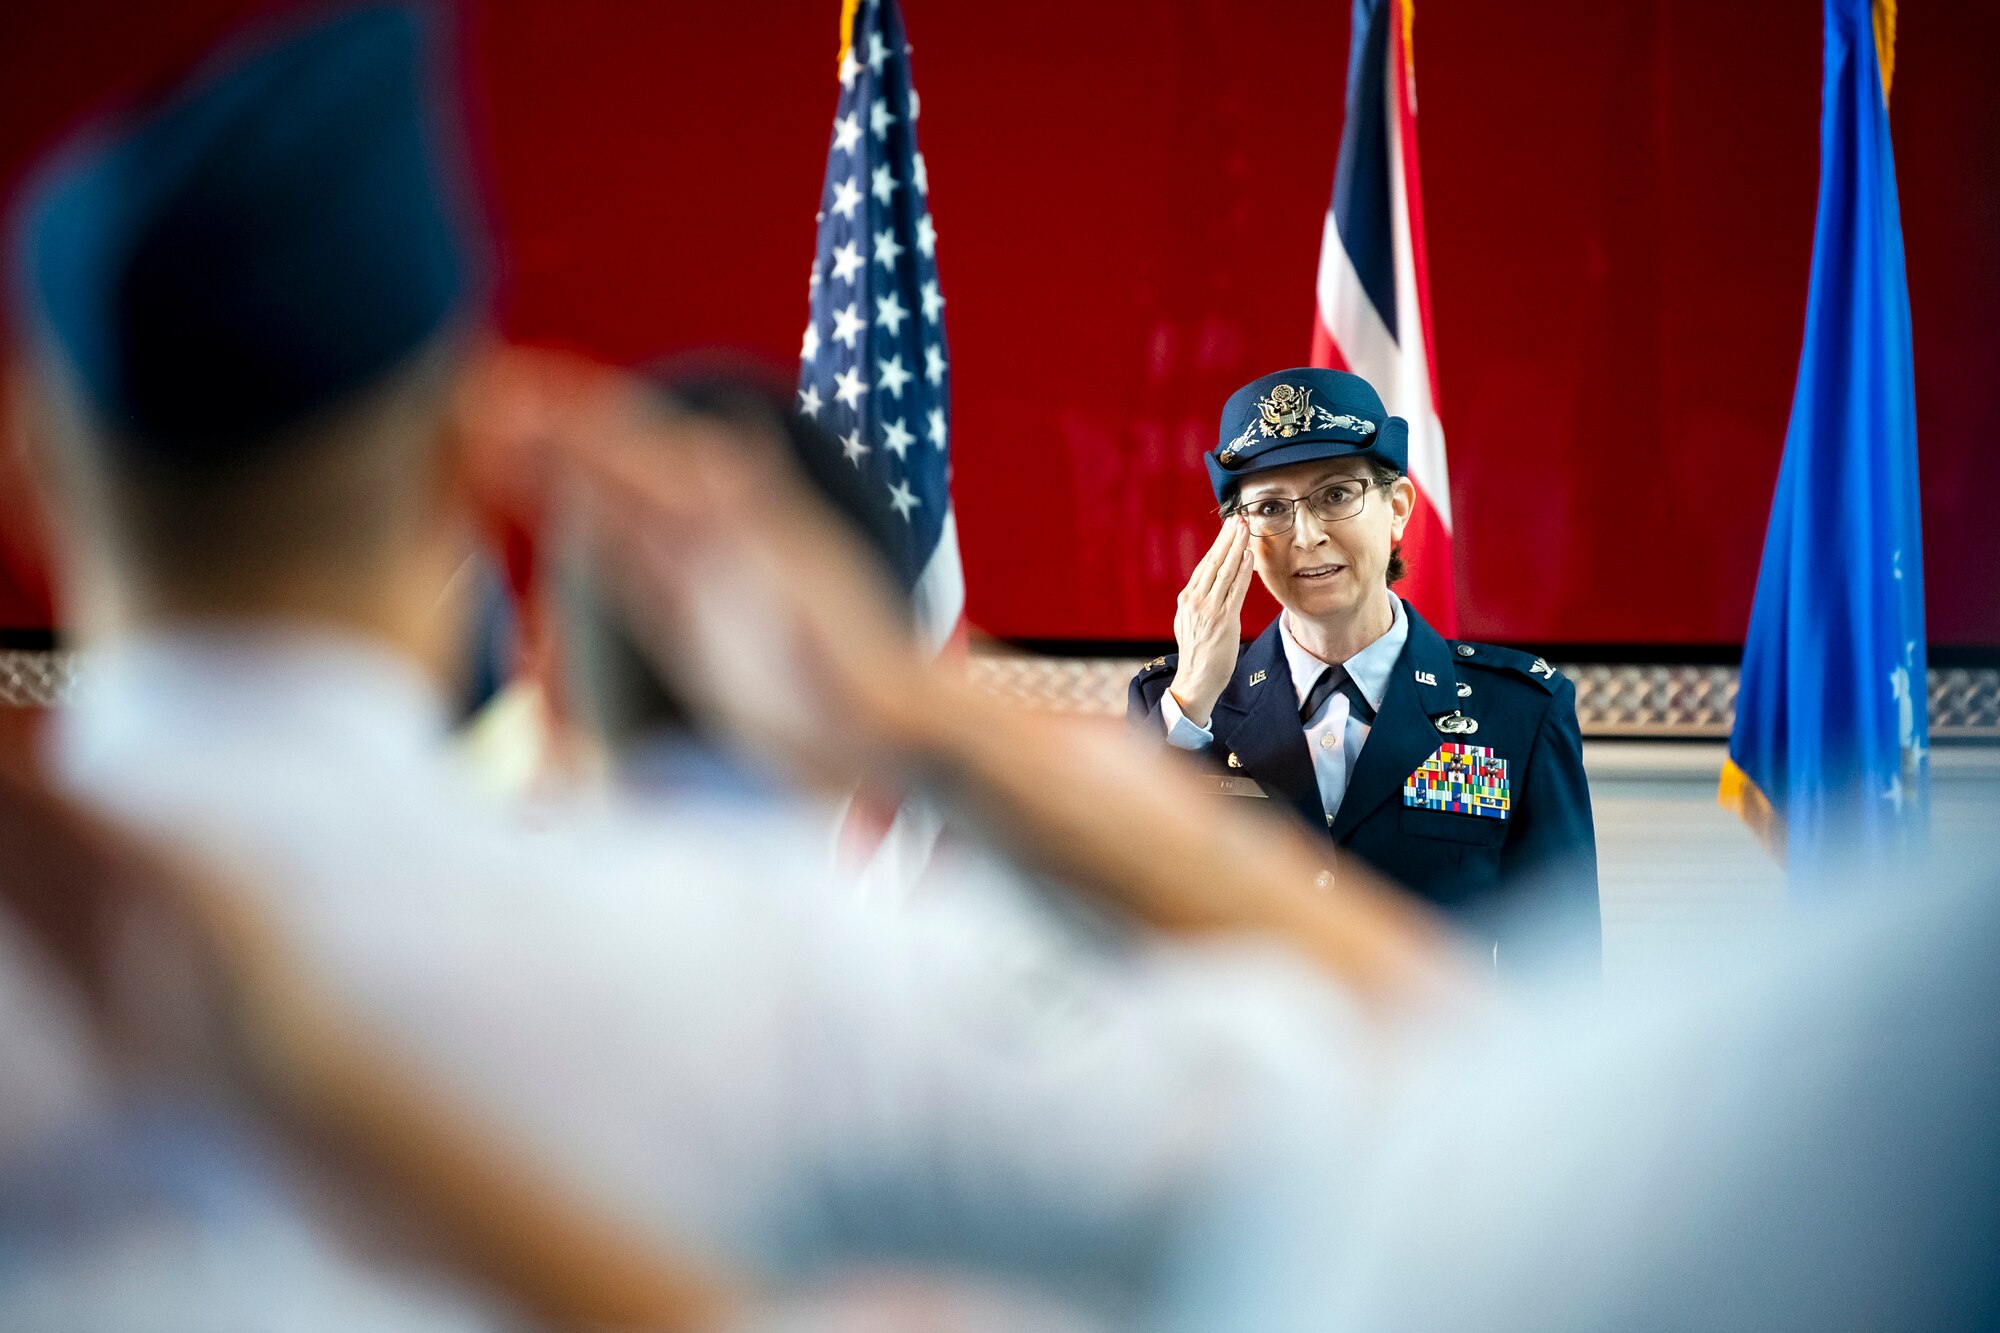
[{"x": 685, "y": 1020}]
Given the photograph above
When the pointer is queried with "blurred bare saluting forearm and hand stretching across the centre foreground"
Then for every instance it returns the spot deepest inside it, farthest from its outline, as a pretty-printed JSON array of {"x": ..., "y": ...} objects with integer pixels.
[{"x": 769, "y": 619}]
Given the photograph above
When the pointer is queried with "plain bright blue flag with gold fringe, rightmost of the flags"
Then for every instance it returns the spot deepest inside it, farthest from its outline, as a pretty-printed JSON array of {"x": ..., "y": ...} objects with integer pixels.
[{"x": 1829, "y": 750}]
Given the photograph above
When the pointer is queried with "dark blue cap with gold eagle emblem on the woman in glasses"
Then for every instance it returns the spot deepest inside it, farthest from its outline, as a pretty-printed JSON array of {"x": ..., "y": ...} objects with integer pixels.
[{"x": 1299, "y": 417}]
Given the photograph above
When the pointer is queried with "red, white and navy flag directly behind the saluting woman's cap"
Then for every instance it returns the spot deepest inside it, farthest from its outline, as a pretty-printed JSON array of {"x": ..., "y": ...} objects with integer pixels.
[{"x": 1375, "y": 285}]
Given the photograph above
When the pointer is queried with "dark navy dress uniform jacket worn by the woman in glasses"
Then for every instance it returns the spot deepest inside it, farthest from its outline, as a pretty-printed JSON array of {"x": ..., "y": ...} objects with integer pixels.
[{"x": 1465, "y": 864}]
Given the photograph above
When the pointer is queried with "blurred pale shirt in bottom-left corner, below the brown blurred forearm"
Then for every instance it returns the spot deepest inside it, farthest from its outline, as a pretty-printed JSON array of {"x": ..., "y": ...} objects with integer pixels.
[{"x": 147, "y": 1210}]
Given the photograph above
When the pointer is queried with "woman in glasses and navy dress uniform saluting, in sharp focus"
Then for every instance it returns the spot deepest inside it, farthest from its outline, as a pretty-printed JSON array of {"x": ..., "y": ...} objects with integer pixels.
[{"x": 1453, "y": 768}]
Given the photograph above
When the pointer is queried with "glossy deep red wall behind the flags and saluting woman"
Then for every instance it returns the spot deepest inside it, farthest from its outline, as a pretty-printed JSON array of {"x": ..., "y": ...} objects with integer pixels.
[{"x": 1129, "y": 201}]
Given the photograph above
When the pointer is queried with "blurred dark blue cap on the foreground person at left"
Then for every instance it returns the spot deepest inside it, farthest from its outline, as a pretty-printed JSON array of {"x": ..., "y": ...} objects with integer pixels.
[{"x": 267, "y": 239}]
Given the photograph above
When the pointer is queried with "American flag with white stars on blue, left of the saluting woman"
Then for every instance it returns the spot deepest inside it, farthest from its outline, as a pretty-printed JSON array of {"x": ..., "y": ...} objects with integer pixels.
[{"x": 875, "y": 367}]
